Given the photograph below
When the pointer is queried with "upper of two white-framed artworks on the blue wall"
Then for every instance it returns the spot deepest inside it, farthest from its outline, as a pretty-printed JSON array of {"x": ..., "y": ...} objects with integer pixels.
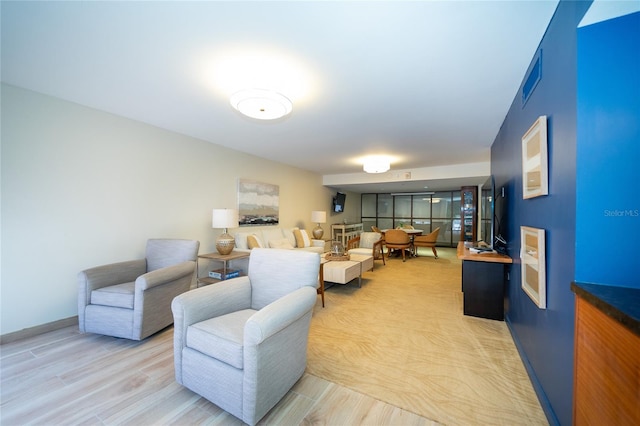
[{"x": 535, "y": 173}]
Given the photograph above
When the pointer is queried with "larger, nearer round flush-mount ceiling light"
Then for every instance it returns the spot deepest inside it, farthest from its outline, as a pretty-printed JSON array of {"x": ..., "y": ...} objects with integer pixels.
[{"x": 261, "y": 104}]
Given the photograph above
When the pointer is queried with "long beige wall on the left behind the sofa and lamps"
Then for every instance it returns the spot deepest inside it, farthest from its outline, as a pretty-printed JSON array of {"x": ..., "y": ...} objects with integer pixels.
[{"x": 81, "y": 188}]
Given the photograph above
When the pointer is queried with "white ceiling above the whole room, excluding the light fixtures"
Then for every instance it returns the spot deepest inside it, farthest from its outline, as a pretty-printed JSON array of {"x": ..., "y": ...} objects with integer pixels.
[{"x": 427, "y": 82}]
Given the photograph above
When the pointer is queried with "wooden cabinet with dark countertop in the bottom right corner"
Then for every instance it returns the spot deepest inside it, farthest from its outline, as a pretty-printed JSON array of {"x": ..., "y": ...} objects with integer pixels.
[{"x": 607, "y": 355}]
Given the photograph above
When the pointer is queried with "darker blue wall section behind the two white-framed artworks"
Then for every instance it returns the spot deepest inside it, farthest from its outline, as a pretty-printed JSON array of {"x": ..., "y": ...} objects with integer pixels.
[{"x": 544, "y": 337}]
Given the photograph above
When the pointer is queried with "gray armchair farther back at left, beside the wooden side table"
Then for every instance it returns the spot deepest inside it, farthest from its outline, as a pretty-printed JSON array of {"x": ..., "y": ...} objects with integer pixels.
[{"x": 133, "y": 299}]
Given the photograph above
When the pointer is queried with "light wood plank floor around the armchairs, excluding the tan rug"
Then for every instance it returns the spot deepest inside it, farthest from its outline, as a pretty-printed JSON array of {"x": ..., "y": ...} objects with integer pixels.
[{"x": 67, "y": 378}]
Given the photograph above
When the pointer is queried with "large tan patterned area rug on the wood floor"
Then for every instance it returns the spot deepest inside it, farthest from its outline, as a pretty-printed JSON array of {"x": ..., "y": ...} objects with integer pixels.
[{"x": 402, "y": 338}]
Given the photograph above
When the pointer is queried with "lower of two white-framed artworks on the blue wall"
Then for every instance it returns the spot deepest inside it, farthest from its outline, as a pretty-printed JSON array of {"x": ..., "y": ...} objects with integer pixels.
[{"x": 533, "y": 265}]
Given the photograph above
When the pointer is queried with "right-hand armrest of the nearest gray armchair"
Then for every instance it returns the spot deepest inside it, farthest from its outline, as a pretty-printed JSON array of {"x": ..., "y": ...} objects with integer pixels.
[{"x": 278, "y": 315}]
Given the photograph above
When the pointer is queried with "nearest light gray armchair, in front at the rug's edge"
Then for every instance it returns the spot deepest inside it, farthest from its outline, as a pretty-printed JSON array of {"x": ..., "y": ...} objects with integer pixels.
[{"x": 242, "y": 343}]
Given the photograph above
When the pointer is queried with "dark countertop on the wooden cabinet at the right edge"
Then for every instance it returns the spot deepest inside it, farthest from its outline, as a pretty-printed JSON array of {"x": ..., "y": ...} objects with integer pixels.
[{"x": 620, "y": 303}]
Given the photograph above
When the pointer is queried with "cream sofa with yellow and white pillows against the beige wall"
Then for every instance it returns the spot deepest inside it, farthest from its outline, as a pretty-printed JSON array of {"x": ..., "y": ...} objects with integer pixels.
[{"x": 282, "y": 238}]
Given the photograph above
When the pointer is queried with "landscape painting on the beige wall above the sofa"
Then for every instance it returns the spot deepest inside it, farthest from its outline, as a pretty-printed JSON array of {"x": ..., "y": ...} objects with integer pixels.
[{"x": 258, "y": 203}]
